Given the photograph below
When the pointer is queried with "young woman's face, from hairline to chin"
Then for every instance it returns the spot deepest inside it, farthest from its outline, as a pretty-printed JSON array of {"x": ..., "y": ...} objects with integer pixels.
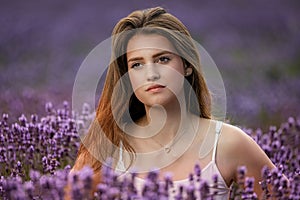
[{"x": 155, "y": 69}]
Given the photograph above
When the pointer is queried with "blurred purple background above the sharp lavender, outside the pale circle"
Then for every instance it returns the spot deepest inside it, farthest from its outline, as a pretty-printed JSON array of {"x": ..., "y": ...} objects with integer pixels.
[{"x": 255, "y": 44}]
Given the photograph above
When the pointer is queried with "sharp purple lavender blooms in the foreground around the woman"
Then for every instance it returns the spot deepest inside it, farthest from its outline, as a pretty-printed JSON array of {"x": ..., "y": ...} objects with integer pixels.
[{"x": 36, "y": 155}]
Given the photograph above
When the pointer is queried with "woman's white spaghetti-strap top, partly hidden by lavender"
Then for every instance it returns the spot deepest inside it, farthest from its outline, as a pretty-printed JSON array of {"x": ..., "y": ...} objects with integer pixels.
[{"x": 207, "y": 173}]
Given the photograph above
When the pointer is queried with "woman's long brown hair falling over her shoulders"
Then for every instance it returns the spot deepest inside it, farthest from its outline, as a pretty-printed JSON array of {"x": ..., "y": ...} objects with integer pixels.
[{"x": 105, "y": 135}]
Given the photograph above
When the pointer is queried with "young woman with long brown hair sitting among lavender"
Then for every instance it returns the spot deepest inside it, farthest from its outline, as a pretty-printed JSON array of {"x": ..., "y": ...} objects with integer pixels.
[{"x": 155, "y": 110}]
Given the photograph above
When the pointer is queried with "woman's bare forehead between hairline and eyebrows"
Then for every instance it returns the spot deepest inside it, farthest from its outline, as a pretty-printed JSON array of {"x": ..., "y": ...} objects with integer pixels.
[{"x": 150, "y": 41}]
